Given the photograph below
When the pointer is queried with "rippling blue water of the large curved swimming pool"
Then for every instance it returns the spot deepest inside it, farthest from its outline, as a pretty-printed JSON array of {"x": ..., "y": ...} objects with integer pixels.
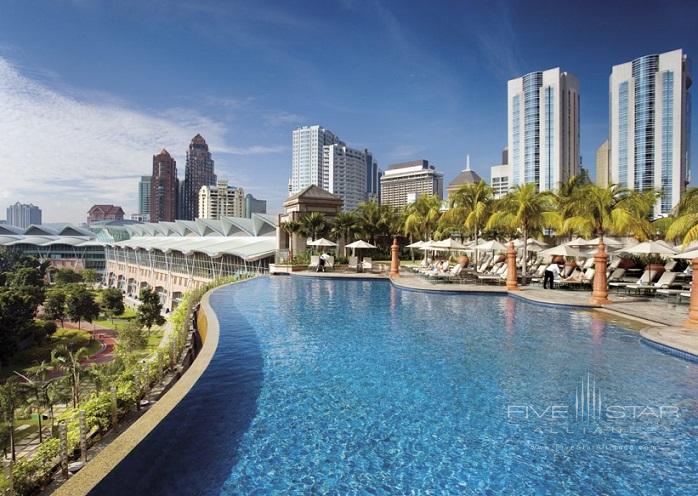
[{"x": 351, "y": 387}]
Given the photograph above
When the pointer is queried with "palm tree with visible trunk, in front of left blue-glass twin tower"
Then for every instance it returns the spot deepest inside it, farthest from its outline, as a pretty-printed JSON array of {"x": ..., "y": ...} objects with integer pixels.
[{"x": 527, "y": 210}]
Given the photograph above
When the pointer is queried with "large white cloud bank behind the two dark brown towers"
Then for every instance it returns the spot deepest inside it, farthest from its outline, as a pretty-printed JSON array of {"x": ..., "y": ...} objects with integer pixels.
[{"x": 65, "y": 153}]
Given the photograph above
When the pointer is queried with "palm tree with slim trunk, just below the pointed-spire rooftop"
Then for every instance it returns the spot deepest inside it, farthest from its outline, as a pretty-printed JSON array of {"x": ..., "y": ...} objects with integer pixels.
[{"x": 471, "y": 206}]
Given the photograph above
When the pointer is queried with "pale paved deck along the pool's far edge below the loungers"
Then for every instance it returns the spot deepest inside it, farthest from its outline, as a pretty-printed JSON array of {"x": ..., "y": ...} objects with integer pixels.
[{"x": 662, "y": 320}]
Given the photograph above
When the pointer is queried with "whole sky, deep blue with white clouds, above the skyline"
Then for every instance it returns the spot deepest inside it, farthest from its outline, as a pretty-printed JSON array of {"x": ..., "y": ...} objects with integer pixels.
[{"x": 91, "y": 90}]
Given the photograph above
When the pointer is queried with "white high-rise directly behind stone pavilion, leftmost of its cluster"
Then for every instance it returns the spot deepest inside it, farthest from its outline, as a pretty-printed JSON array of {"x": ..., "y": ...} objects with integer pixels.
[{"x": 307, "y": 164}]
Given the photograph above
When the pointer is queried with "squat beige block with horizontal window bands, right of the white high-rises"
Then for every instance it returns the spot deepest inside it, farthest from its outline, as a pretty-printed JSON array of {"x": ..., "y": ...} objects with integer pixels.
[{"x": 402, "y": 183}]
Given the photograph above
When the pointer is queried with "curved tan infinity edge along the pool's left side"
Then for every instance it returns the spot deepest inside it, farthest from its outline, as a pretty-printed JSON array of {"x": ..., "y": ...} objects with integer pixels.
[{"x": 116, "y": 451}]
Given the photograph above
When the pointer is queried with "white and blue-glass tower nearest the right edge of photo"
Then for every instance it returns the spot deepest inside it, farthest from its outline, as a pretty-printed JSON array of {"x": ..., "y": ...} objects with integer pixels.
[{"x": 649, "y": 125}]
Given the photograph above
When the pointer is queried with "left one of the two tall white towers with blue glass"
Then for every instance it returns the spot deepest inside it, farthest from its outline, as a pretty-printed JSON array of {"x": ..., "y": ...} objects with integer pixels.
[{"x": 543, "y": 128}]
